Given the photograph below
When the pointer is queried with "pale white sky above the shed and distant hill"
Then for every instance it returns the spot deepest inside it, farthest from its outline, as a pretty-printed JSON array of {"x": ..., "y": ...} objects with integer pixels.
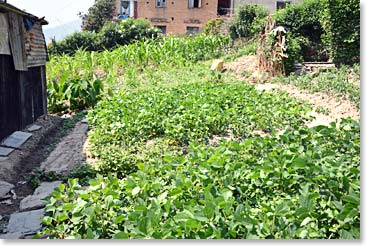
[{"x": 56, "y": 12}]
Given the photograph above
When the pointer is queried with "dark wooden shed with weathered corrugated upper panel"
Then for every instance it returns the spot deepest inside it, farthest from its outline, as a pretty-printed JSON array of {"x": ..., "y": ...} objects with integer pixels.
[{"x": 23, "y": 57}]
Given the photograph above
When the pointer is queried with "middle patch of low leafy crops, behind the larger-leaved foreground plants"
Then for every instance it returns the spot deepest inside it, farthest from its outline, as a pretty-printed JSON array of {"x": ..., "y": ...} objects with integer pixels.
[{"x": 122, "y": 125}]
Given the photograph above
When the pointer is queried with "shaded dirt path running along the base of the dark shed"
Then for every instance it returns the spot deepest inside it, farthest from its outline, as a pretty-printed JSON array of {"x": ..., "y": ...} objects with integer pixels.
[{"x": 46, "y": 149}]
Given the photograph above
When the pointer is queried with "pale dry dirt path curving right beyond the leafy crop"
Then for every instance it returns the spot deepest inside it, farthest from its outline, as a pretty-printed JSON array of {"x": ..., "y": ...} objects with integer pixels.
[{"x": 245, "y": 69}]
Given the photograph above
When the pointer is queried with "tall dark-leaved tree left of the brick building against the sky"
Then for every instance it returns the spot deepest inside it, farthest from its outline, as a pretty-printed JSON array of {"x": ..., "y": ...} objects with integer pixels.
[{"x": 97, "y": 15}]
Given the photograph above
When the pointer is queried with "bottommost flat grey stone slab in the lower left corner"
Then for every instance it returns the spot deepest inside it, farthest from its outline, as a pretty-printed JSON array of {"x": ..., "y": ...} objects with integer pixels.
[{"x": 26, "y": 223}]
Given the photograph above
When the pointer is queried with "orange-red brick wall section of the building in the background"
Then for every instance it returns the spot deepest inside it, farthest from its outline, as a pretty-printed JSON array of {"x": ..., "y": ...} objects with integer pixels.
[{"x": 177, "y": 16}]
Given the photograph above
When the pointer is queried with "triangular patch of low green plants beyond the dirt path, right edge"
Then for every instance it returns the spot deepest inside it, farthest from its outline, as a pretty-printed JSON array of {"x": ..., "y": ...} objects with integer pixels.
[{"x": 342, "y": 83}]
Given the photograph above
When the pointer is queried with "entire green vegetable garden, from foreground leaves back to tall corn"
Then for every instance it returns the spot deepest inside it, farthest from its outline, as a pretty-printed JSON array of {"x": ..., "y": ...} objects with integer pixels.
[{"x": 184, "y": 152}]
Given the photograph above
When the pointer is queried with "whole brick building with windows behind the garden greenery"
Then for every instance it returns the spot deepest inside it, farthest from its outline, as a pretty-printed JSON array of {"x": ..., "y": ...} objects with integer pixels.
[{"x": 185, "y": 16}]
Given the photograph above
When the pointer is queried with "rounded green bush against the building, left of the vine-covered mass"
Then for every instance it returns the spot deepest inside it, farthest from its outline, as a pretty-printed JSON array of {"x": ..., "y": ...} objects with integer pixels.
[{"x": 249, "y": 21}]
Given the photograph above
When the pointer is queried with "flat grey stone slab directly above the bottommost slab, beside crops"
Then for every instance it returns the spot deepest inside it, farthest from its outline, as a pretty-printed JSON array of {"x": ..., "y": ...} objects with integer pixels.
[{"x": 35, "y": 201}]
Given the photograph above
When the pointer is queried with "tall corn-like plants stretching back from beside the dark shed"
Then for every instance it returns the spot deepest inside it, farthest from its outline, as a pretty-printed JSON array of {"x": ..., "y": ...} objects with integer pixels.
[{"x": 75, "y": 82}]
